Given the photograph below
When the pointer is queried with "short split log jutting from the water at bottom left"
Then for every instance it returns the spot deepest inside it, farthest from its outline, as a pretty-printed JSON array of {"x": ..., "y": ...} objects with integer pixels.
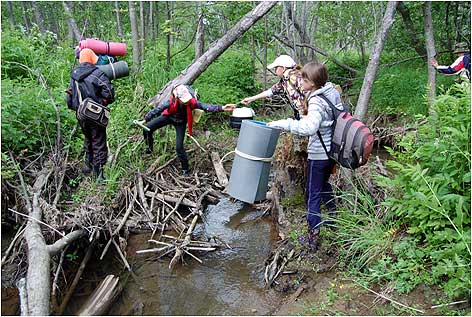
[{"x": 99, "y": 302}]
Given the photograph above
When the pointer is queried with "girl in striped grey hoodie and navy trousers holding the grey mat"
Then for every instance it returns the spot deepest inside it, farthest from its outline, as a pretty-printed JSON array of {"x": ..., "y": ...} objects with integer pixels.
[{"x": 317, "y": 116}]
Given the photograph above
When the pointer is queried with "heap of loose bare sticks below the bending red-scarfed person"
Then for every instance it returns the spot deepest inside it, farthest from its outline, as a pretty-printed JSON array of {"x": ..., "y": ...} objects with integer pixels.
[{"x": 160, "y": 200}]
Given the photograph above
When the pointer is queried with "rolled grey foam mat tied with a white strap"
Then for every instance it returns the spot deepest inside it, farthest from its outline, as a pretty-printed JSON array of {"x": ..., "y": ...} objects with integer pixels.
[{"x": 249, "y": 174}]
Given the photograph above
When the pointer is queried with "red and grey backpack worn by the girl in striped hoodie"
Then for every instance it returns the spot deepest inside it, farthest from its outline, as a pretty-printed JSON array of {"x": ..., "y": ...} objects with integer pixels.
[{"x": 352, "y": 141}]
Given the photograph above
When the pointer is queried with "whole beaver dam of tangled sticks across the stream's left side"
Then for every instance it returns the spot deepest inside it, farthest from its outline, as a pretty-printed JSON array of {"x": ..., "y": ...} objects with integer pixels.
[{"x": 158, "y": 201}]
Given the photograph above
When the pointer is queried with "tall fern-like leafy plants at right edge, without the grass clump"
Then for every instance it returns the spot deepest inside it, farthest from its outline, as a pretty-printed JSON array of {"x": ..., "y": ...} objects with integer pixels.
[{"x": 433, "y": 185}]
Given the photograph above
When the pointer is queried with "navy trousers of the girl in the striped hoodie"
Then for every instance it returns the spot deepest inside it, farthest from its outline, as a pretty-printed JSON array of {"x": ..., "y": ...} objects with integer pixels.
[{"x": 318, "y": 189}]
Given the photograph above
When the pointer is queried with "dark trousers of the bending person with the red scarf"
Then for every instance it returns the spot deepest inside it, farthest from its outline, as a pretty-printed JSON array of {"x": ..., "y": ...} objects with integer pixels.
[{"x": 180, "y": 128}]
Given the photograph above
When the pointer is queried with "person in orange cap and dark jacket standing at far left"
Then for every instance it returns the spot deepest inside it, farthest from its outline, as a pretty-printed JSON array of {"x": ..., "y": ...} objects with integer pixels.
[{"x": 89, "y": 83}]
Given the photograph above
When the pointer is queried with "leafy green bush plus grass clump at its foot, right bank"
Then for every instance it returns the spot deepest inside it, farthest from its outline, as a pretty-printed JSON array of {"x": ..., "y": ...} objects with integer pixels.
[{"x": 421, "y": 232}]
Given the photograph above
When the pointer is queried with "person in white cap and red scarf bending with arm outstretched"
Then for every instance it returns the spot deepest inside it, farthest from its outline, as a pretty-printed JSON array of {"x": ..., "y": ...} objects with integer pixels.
[{"x": 178, "y": 112}]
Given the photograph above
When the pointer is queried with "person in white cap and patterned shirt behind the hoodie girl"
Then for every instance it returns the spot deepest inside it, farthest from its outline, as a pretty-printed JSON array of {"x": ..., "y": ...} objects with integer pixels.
[{"x": 289, "y": 84}]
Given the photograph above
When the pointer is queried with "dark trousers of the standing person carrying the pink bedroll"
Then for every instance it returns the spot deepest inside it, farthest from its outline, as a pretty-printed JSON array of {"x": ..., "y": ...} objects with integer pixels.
[{"x": 95, "y": 143}]
